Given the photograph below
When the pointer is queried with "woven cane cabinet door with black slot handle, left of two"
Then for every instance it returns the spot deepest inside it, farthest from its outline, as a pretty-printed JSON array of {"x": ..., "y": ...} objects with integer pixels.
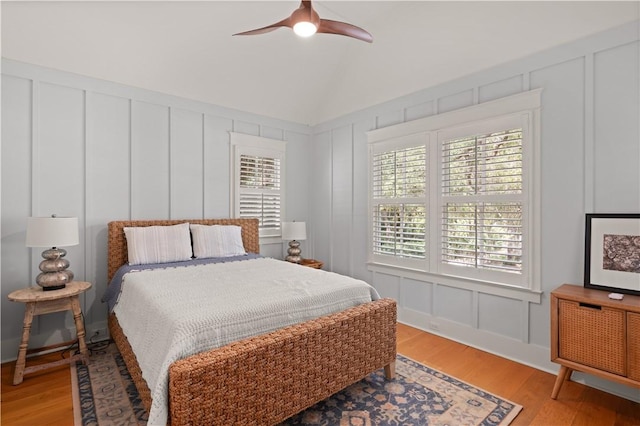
[{"x": 592, "y": 335}]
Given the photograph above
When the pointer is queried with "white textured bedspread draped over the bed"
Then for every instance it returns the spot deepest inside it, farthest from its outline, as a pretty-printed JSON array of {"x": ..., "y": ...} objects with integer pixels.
[{"x": 169, "y": 314}]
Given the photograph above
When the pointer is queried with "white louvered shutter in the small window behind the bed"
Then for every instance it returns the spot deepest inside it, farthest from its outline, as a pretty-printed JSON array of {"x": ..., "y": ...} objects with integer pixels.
[{"x": 260, "y": 192}]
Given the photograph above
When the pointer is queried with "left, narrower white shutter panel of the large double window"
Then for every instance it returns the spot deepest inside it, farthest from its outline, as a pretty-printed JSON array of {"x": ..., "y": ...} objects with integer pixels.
[{"x": 399, "y": 210}]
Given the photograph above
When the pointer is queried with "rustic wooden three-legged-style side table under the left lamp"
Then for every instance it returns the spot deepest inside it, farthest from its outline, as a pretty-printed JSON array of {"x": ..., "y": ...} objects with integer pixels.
[{"x": 38, "y": 302}]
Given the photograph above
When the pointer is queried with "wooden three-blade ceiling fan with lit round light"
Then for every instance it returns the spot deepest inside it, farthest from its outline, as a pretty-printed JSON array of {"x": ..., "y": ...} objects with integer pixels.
[{"x": 305, "y": 22}]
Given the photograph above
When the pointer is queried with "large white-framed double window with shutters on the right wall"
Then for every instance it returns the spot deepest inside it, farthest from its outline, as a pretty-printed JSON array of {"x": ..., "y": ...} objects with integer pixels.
[{"x": 455, "y": 194}]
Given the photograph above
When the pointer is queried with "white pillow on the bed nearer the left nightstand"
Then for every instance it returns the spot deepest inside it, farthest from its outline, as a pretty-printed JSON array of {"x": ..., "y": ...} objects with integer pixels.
[{"x": 158, "y": 244}]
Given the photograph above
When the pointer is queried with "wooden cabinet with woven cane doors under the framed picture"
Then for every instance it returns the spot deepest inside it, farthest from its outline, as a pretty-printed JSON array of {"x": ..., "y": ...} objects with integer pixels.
[{"x": 594, "y": 334}]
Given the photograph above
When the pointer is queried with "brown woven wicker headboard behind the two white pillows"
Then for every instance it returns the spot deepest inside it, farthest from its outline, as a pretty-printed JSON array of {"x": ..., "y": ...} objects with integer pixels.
[{"x": 117, "y": 243}]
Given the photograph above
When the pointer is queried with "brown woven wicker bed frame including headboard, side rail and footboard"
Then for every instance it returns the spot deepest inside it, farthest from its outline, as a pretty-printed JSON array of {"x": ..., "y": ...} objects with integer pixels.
[{"x": 265, "y": 379}]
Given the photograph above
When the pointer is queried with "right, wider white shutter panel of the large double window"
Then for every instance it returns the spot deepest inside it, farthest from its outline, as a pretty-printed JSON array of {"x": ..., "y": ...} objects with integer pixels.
[{"x": 482, "y": 201}]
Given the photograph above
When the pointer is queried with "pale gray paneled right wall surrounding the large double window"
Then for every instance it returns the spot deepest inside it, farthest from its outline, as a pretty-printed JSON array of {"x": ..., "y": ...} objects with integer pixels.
[{"x": 590, "y": 156}]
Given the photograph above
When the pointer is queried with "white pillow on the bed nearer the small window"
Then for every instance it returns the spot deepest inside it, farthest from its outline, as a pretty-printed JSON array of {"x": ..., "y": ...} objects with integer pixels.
[{"x": 217, "y": 241}]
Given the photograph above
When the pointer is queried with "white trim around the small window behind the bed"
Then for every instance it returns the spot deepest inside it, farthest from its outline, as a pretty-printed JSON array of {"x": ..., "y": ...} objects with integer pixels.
[{"x": 243, "y": 144}]
